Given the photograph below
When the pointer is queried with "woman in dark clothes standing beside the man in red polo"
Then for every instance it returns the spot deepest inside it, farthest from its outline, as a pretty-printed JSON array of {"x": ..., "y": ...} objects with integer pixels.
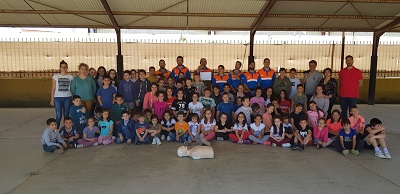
[{"x": 330, "y": 89}]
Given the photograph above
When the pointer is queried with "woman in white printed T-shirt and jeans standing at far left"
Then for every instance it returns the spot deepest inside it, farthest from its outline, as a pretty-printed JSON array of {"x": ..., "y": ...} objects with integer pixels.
[{"x": 61, "y": 95}]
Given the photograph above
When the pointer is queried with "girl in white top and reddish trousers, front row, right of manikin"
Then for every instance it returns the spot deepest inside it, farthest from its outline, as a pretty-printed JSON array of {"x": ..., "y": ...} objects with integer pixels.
[{"x": 241, "y": 130}]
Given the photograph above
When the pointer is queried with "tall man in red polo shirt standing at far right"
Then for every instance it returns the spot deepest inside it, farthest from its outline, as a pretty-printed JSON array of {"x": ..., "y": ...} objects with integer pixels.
[{"x": 350, "y": 80}]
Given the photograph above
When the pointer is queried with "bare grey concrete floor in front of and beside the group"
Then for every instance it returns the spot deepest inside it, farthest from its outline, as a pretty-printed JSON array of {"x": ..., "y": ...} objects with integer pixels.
[{"x": 25, "y": 168}]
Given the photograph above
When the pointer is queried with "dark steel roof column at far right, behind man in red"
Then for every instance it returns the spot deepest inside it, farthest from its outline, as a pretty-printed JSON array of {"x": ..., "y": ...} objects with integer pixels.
[{"x": 373, "y": 69}]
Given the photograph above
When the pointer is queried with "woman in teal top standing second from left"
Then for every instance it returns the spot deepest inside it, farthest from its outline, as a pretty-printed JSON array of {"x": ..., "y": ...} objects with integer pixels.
[{"x": 84, "y": 86}]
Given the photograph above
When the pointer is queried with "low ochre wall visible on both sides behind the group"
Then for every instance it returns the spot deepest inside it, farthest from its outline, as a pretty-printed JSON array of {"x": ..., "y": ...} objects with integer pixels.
[{"x": 36, "y": 92}]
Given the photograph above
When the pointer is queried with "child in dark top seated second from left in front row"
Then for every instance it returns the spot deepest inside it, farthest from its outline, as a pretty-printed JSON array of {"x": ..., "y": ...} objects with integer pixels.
[{"x": 68, "y": 133}]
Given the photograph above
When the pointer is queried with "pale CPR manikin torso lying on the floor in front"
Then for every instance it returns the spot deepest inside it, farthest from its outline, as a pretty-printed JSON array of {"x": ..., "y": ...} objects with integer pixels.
[{"x": 197, "y": 152}]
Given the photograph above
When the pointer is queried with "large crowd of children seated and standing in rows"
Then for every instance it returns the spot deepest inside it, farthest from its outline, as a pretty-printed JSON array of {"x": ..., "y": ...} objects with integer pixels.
[{"x": 188, "y": 112}]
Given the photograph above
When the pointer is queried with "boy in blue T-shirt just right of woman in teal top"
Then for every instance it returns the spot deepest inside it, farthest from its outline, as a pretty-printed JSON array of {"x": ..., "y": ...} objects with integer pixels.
[{"x": 106, "y": 94}]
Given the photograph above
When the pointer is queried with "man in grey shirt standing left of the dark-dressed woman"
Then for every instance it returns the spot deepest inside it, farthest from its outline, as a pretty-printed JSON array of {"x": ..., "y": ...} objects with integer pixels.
[{"x": 311, "y": 79}]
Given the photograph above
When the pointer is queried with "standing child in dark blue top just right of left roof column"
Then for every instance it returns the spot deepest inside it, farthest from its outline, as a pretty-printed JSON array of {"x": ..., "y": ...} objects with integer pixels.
[{"x": 126, "y": 89}]
